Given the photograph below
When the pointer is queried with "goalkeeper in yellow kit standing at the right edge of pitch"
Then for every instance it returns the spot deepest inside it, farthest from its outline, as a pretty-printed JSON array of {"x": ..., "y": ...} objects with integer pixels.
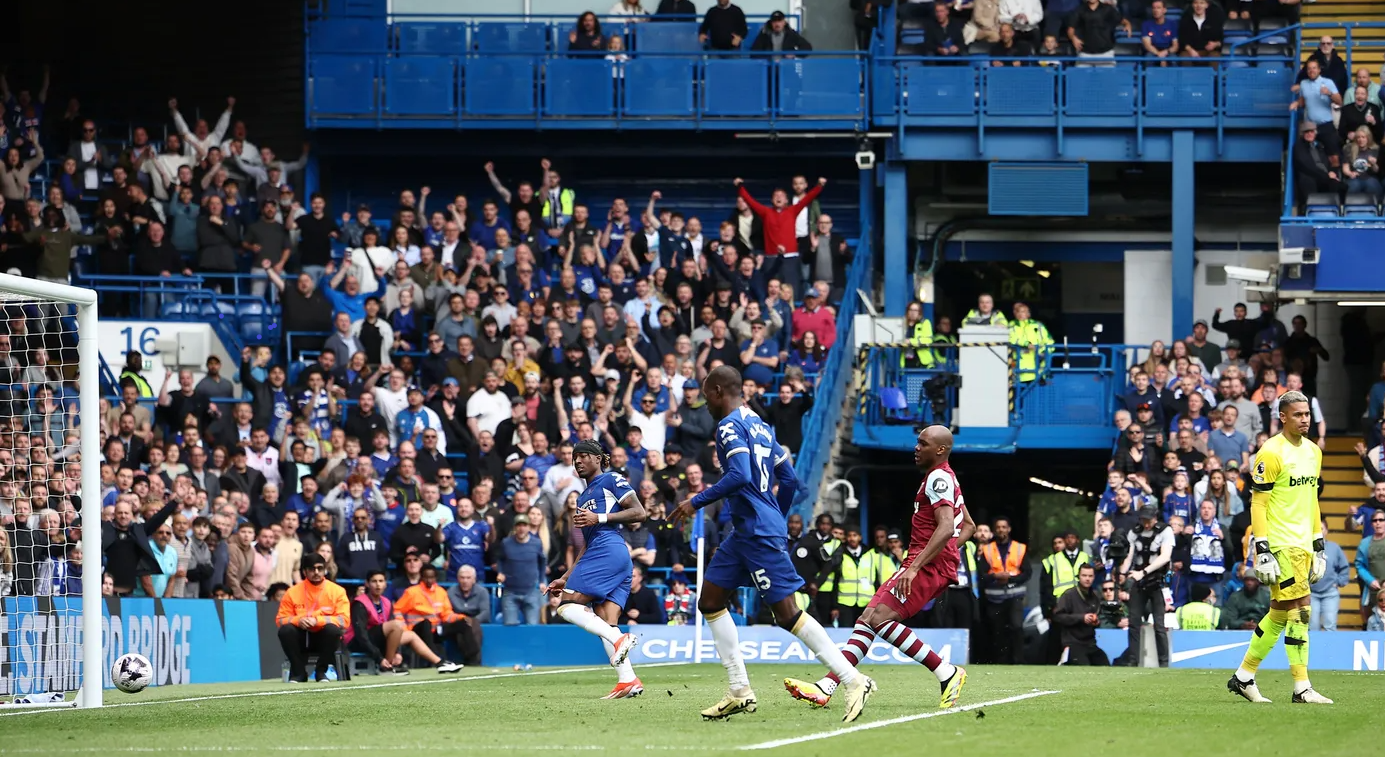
[{"x": 1287, "y": 547}]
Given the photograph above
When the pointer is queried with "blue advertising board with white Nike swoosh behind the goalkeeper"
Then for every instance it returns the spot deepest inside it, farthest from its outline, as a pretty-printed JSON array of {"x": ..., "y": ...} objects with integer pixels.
[{"x": 1224, "y": 650}]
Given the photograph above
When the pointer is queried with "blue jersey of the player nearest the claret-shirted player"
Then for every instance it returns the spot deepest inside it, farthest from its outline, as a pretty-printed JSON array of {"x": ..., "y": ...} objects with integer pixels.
[{"x": 754, "y": 507}]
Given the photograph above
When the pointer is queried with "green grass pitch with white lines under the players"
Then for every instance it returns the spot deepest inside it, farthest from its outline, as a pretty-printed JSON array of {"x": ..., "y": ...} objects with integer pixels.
[{"x": 1181, "y": 713}]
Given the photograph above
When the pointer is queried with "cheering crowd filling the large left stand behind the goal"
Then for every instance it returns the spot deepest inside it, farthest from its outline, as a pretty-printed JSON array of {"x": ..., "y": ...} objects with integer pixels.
[{"x": 451, "y": 358}]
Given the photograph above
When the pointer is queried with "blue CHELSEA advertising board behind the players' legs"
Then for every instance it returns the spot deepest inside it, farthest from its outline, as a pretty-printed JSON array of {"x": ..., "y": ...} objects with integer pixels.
[{"x": 566, "y": 646}]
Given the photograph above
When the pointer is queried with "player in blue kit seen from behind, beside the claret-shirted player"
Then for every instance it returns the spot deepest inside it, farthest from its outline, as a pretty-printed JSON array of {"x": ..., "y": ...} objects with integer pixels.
[{"x": 757, "y": 553}]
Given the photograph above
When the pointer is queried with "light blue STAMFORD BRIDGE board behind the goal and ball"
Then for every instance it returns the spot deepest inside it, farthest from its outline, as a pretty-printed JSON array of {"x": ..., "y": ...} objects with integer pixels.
[{"x": 189, "y": 641}]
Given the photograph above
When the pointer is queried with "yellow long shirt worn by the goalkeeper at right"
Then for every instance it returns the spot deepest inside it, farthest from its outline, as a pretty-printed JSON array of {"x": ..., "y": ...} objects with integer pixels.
[{"x": 1289, "y": 474}]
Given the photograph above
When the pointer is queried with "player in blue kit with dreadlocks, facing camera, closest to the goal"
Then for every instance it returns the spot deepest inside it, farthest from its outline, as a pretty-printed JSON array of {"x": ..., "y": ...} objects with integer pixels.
[{"x": 595, "y": 590}]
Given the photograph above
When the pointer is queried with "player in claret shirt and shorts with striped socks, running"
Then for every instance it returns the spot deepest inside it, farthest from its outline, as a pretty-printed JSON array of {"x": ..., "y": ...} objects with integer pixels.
[{"x": 941, "y": 520}]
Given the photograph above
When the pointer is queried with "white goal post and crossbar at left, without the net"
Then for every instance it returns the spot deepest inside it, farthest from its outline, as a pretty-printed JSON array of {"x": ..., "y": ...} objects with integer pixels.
[{"x": 89, "y": 396}]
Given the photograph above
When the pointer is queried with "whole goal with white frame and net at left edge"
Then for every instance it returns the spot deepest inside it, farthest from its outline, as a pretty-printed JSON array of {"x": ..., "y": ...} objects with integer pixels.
[{"x": 51, "y": 496}]
